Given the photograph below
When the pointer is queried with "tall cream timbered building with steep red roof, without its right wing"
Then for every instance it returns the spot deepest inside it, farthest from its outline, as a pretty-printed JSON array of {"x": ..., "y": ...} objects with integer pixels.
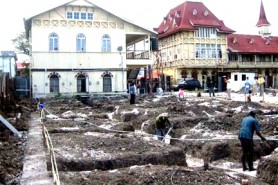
[{"x": 192, "y": 42}]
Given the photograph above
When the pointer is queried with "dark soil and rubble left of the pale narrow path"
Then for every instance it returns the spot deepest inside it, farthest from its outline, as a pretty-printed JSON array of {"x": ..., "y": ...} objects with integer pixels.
[{"x": 12, "y": 147}]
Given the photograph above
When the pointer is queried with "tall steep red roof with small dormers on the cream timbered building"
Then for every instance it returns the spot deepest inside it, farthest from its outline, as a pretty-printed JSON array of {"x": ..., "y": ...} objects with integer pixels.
[{"x": 189, "y": 16}]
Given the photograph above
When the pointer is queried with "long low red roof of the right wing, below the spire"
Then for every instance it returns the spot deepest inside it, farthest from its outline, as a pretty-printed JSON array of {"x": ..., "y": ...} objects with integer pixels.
[{"x": 238, "y": 43}]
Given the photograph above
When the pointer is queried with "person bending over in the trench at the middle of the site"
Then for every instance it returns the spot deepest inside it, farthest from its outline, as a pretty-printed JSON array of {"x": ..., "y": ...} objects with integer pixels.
[{"x": 161, "y": 122}]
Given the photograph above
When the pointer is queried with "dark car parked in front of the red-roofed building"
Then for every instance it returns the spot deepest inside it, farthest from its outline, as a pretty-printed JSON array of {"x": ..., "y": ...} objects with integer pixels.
[{"x": 188, "y": 84}]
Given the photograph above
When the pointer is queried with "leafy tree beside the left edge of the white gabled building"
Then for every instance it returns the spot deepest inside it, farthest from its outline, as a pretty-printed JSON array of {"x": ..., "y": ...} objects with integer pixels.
[{"x": 22, "y": 44}]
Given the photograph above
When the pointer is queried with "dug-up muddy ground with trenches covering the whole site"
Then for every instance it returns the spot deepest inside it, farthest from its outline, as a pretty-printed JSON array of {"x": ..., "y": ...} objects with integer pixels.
[{"x": 105, "y": 140}]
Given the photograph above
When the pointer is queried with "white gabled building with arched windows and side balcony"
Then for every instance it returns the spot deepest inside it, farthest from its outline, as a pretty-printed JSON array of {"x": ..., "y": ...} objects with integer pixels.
[{"x": 80, "y": 48}]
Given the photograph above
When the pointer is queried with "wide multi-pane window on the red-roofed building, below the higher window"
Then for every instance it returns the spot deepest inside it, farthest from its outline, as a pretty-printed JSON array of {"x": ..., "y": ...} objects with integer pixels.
[{"x": 208, "y": 51}]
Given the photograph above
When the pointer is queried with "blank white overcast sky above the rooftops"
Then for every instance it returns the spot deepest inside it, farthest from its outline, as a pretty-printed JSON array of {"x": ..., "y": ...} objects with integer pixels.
[{"x": 239, "y": 15}]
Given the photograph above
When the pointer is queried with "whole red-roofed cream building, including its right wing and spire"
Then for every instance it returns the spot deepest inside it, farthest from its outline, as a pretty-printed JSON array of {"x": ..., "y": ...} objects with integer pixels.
[{"x": 193, "y": 42}]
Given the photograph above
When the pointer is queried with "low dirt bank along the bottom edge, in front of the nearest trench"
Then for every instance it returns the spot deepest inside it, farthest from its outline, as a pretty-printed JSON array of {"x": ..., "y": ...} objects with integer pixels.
[{"x": 154, "y": 174}]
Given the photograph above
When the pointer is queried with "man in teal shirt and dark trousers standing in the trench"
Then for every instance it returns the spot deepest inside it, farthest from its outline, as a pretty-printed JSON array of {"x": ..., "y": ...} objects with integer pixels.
[{"x": 249, "y": 125}]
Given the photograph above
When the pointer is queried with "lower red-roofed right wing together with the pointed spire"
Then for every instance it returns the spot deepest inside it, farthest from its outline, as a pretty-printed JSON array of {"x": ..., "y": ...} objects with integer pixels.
[{"x": 255, "y": 53}]
